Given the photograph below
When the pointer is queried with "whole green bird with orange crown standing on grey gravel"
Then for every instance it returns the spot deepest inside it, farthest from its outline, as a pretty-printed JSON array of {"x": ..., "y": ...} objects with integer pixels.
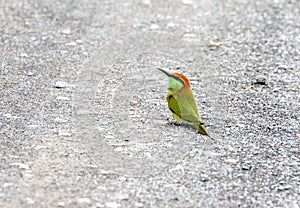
[{"x": 181, "y": 101}]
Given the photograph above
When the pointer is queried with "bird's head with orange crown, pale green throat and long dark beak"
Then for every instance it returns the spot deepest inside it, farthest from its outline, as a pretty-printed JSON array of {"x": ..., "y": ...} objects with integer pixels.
[{"x": 176, "y": 81}]
